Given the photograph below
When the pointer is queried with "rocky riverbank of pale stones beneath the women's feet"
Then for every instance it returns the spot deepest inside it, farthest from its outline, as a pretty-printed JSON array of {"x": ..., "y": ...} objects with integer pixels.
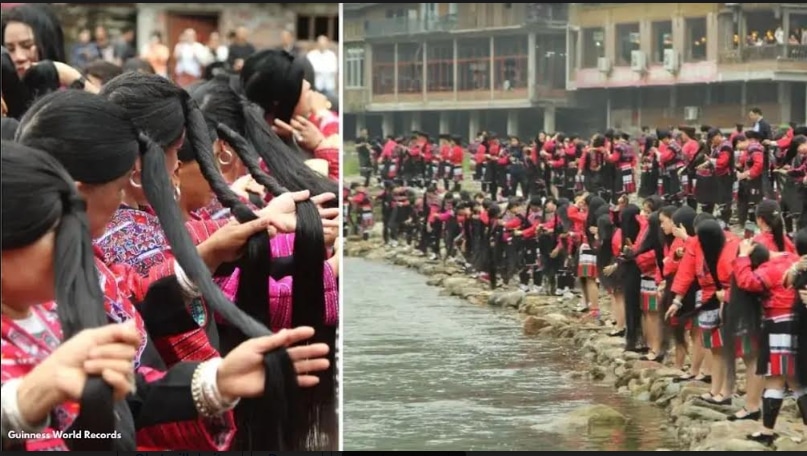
[{"x": 698, "y": 425}]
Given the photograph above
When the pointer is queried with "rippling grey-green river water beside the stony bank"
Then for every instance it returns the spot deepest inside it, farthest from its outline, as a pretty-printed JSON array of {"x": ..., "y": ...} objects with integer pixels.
[{"x": 426, "y": 372}]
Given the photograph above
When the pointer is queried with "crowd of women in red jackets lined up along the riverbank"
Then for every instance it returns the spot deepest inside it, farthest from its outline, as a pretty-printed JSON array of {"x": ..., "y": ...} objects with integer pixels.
[{"x": 682, "y": 284}]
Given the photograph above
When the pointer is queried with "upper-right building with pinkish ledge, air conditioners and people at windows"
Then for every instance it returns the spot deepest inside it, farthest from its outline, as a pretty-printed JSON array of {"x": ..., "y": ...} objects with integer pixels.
[{"x": 703, "y": 63}]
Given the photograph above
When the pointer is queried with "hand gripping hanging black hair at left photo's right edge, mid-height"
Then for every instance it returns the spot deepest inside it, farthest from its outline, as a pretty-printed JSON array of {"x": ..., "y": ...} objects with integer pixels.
[{"x": 282, "y": 210}]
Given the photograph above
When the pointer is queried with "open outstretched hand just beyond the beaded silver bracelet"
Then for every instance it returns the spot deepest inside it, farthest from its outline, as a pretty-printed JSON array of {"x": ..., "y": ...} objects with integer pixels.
[{"x": 242, "y": 373}]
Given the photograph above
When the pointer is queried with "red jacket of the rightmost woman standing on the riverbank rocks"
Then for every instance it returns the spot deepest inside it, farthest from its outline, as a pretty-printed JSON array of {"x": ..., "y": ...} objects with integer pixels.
[{"x": 768, "y": 278}]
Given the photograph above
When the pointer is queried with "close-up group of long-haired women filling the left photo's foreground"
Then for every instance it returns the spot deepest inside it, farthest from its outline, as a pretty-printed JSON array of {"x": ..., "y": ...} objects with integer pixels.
[{"x": 169, "y": 257}]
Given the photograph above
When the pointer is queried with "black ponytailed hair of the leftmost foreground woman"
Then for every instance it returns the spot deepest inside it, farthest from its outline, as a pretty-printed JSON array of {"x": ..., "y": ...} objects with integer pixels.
[{"x": 38, "y": 195}]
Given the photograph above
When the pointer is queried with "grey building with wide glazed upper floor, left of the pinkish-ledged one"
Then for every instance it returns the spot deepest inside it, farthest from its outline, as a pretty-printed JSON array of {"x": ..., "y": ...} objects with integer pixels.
[{"x": 454, "y": 67}]
